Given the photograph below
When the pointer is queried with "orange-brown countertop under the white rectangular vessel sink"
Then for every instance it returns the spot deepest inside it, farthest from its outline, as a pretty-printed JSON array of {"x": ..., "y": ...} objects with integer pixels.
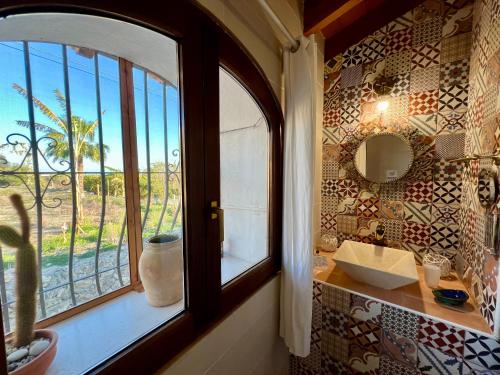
[{"x": 417, "y": 296}]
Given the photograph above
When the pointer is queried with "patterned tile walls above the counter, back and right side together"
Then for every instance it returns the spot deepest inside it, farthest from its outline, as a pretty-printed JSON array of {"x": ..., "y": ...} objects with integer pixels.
[{"x": 445, "y": 55}]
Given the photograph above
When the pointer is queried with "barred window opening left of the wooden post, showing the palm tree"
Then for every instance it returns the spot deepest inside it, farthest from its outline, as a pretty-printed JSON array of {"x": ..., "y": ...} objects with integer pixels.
[{"x": 69, "y": 175}]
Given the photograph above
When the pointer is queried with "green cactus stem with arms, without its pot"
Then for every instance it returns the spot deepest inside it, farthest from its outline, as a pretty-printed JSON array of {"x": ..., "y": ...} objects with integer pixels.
[{"x": 26, "y": 273}]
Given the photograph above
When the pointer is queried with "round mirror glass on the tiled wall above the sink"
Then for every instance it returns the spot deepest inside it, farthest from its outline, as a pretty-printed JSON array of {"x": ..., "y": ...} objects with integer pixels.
[{"x": 383, "y": 157}]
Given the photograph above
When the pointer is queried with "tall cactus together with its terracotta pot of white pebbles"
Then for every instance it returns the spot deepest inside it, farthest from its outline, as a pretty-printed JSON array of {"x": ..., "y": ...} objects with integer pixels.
[{"x": 29, "y": 352}]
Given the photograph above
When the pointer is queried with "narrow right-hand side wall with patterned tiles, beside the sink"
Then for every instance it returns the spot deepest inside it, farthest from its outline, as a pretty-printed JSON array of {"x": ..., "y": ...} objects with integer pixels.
[{"x": 482, "y": 136}]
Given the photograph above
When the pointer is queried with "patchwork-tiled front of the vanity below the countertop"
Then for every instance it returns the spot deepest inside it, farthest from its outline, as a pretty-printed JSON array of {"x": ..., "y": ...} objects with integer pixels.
[{"x": 355, "y": 335}]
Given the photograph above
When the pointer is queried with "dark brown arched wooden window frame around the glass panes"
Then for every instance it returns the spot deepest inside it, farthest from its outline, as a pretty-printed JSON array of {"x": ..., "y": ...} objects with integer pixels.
[{"x": 204, "y": 45}]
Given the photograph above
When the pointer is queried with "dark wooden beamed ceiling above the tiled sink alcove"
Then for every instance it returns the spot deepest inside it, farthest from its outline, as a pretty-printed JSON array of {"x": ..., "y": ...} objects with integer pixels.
[{"x": 345, "y": 22}]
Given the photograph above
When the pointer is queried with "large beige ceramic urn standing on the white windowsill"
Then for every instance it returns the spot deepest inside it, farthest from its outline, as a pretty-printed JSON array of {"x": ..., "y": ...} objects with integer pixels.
[{"x": 161, "y": 272}]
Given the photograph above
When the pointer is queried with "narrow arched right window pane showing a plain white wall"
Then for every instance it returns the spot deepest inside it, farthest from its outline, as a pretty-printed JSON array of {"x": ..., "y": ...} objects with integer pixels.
[{"x": 244, "y": 179}]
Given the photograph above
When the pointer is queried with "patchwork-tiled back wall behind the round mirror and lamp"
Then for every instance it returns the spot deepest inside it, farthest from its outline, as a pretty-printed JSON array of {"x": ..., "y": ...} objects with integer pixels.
[{"x": 428, "y": 51}]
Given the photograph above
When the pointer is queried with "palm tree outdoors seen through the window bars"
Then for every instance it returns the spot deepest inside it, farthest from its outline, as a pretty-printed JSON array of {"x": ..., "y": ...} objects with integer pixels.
[{"x": 84, "y": 145}]
